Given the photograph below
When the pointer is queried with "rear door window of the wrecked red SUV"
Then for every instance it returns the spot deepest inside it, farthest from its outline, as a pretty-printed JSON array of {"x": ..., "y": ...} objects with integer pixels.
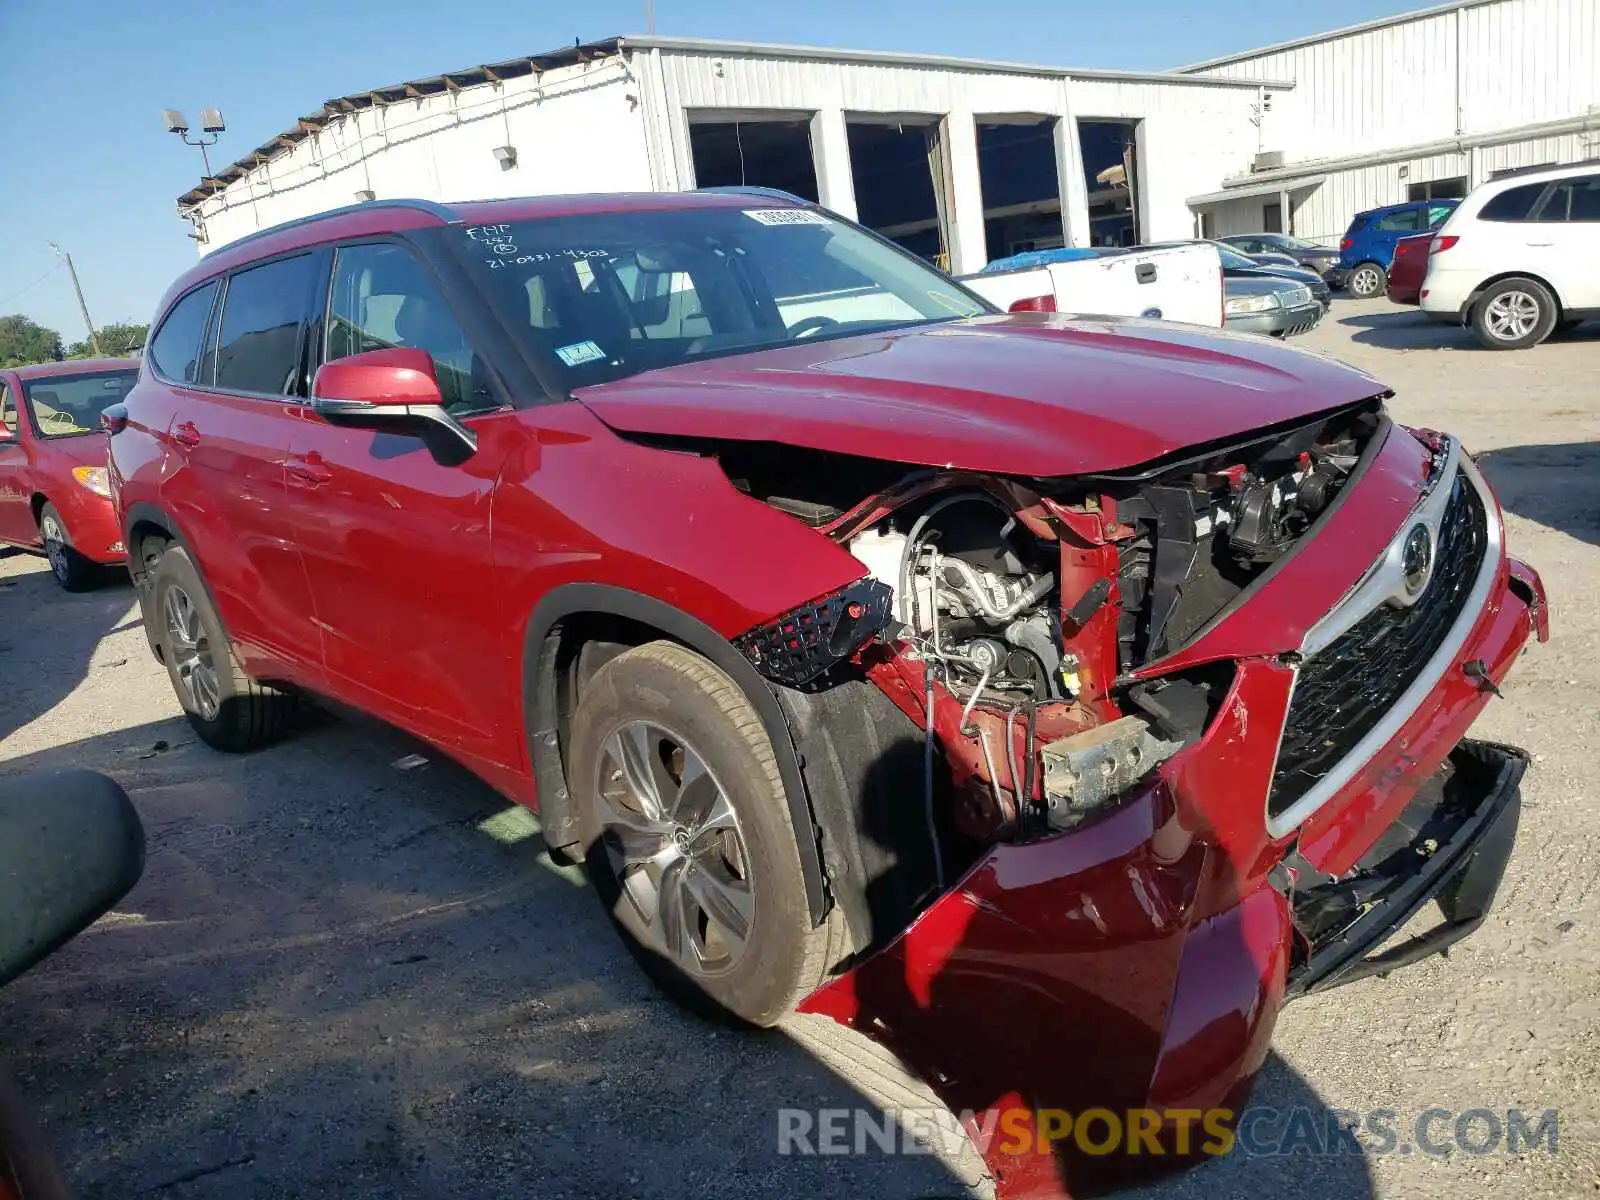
[{"x": 262, "y": 337}]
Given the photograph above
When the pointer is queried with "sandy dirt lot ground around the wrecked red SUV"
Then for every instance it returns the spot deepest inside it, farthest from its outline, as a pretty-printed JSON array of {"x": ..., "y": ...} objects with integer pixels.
[{"x": 346, "y": 980}]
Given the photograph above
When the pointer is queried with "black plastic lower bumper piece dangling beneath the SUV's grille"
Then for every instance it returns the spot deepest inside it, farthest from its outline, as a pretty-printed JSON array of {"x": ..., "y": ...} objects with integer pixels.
[{"x": 1450, "y": 846}]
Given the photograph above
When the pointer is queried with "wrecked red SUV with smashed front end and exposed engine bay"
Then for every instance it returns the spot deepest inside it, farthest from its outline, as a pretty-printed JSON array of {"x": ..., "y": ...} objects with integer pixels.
[{"x": 1047, "y": 698}]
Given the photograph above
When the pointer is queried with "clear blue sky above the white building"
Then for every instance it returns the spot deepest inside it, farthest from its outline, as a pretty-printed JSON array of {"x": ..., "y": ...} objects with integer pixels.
[{"x": 89, "y": 166}]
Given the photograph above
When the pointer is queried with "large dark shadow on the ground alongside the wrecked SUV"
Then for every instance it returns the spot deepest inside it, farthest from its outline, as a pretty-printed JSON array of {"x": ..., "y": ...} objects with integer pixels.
[{"x": 342, "y": 978}]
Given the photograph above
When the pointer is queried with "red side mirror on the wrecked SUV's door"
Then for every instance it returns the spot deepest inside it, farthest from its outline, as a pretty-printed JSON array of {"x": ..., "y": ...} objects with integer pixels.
[{"x": 398, "y": 393}]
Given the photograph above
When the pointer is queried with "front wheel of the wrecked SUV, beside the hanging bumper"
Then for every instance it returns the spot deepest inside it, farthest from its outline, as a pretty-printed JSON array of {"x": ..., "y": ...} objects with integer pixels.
[{"x": 687, "y": 836}]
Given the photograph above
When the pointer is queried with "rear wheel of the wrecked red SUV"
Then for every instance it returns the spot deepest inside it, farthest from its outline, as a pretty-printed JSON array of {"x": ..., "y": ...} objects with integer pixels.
[{"x": 225, "y": 706}]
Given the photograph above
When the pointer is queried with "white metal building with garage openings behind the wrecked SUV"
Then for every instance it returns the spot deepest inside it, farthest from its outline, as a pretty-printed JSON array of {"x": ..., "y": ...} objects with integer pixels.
[{"x": 966, "y": 161}]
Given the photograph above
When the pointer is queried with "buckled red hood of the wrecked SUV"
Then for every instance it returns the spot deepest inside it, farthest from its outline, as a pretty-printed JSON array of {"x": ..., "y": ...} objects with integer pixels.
[{"x": 1030, "y": 394}]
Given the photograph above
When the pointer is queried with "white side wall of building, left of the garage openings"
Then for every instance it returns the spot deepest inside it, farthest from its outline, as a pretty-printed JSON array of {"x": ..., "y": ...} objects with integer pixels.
[{"x": 575, "y": 130}]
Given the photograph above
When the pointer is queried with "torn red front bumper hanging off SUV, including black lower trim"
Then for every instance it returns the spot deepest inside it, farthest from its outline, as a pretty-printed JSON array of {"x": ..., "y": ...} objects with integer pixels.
[{"x": 1138, "y": 966}]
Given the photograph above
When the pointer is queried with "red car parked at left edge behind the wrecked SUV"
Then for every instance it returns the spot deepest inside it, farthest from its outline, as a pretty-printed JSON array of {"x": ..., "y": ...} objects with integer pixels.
[{"x": 54, "y": 489}]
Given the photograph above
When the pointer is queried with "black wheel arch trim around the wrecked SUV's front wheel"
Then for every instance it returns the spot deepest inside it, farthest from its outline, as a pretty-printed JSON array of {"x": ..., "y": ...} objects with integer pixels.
[{"x": 577, "y": 615}]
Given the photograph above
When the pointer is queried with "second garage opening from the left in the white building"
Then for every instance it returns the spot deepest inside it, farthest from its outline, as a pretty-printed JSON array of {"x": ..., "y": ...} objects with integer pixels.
[{"x": 903, "y": 185}]
